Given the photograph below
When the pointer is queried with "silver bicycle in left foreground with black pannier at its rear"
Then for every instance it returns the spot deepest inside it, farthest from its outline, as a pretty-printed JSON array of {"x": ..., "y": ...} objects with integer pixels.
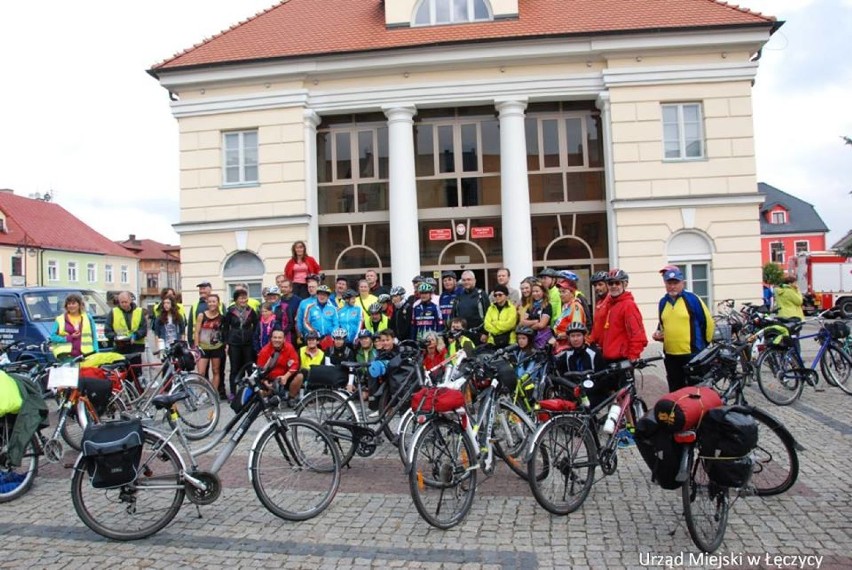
[{"x": 293, "y": 465}]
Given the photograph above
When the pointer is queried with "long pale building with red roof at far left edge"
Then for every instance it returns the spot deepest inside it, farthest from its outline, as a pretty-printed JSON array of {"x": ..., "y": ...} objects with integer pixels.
[{"x": 41, "y": 243}]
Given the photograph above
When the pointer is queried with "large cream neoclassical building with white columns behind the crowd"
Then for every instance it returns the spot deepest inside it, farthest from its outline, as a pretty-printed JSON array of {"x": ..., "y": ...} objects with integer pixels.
[{"x": 418, "y": 135}]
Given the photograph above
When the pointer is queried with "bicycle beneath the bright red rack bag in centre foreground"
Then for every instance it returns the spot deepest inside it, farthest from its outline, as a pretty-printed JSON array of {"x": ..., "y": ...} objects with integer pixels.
[{"x": 450, "y": 448}]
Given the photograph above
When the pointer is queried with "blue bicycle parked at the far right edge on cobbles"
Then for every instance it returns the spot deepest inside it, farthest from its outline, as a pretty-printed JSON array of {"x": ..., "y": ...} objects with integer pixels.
[{"x": 782, "y": 372}]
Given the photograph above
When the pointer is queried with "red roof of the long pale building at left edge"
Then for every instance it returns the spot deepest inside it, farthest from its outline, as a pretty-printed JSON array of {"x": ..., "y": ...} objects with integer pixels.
[{"x": 50, "y": 226}]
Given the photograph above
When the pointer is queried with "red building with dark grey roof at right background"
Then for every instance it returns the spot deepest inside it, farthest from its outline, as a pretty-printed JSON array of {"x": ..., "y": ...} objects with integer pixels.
[{"x": 788, "y": 226}]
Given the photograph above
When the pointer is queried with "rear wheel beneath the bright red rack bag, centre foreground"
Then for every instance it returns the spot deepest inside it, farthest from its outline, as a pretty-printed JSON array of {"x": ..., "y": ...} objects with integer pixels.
[{"x": 440, "y": 477}]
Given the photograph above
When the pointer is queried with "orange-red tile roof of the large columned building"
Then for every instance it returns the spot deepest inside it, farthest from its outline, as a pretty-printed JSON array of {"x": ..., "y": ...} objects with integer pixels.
[{"x": 314, "y": 27}]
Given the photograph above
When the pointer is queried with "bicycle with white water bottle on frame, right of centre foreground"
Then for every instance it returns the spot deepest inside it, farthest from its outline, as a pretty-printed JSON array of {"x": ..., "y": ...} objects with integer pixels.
[{"x": 566, "y": 449}]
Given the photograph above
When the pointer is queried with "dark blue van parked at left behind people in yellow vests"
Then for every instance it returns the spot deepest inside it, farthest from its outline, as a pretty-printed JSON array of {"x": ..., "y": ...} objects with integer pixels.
[{"x": 27, "y": 314}]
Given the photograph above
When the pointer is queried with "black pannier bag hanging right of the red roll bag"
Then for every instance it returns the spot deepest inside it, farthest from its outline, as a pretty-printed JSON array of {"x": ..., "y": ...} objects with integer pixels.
[{"x": 725, "y": 441}]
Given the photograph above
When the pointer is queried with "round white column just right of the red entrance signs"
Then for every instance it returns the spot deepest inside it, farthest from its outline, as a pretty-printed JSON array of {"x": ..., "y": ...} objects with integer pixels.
[{"x": 514, "y": 188}]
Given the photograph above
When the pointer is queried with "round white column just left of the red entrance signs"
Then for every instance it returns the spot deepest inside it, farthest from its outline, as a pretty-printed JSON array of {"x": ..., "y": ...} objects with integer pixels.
[{"x": 402, "y": 190}]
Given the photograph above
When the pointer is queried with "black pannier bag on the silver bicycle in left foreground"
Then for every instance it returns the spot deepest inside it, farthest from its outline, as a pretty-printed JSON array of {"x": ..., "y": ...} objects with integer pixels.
[{"x": 113, "y": 451}]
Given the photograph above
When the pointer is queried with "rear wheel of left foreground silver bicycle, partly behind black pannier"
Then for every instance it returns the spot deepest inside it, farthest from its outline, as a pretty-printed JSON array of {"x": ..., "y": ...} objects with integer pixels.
[{"x": 115, "y": 513}]
